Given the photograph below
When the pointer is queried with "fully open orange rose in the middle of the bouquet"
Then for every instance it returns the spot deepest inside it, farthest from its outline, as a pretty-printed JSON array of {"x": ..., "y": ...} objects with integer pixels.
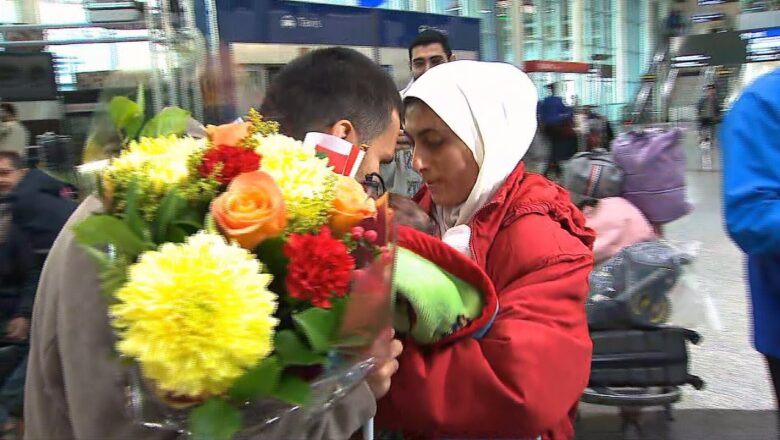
[{"x": 251, "y": 210}]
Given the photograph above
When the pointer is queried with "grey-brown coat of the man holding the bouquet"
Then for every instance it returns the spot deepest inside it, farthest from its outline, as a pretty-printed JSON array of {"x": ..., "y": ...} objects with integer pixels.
[{"x": 76, "y": 388}]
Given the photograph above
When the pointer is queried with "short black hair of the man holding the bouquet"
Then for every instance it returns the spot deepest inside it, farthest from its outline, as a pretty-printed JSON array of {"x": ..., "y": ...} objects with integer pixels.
[{"x": 324, "y": 86}]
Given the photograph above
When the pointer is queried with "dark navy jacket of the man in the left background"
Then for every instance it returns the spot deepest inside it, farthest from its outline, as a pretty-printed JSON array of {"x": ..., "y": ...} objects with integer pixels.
[{"x": 40, "y": 208}]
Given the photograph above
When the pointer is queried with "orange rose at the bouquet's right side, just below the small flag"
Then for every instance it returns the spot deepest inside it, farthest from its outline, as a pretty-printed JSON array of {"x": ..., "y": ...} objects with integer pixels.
[{"x": 351, "y": 205}]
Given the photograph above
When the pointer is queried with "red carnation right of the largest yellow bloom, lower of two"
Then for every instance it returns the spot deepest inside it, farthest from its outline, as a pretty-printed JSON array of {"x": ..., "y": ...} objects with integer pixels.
[{"x": 320, "y": 267}]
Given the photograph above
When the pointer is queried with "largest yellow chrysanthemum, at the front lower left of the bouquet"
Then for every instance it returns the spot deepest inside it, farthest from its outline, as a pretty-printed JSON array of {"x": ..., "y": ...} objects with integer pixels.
[{"x": 196, "y": 315}]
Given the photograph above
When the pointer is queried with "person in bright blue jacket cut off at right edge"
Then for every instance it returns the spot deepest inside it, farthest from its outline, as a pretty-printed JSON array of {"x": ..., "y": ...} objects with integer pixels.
[{"x": 750, "y": 137}]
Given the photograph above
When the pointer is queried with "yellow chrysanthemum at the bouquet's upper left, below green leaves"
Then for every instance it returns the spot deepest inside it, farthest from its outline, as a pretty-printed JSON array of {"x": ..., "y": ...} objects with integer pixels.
[{"x": 163, "y": 161}]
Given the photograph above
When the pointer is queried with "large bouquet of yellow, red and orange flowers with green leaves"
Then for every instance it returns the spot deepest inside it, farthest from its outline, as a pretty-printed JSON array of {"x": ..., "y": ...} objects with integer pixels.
[{"x": 237, "y": 268}]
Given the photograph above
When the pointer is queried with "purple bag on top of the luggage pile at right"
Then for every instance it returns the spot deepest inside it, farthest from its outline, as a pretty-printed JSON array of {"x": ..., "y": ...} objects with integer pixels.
[{"x": 654, "y": 166}]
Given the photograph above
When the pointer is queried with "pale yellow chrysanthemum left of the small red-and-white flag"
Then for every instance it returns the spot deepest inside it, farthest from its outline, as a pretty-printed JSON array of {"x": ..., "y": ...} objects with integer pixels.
[{"x": 306, "y": 180}]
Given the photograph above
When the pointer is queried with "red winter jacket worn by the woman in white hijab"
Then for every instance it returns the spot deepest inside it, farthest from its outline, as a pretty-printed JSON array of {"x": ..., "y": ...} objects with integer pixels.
[{"x": 523, "y": 379}]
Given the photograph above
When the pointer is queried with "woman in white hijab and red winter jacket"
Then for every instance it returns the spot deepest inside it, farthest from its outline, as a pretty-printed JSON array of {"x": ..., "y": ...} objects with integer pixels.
[{"x": 521, "y": 375}]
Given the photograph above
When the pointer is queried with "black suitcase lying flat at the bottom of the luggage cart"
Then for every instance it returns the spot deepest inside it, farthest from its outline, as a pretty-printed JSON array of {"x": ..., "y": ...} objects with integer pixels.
[{"x": 656, "y": 357}]
